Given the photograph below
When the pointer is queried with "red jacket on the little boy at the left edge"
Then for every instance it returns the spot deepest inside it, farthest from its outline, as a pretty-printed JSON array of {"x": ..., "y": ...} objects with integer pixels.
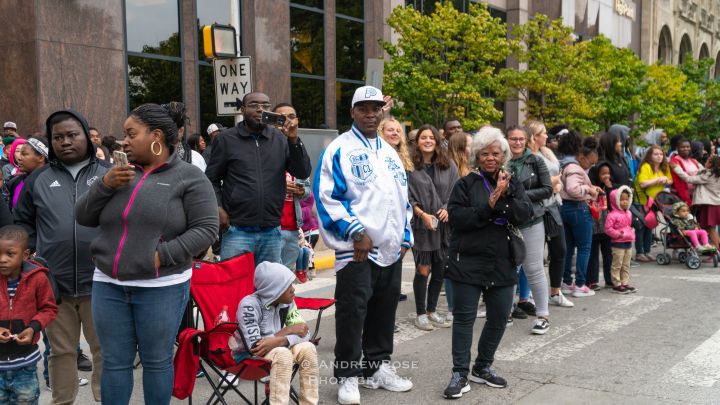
[{"x": 33, "y": 306}]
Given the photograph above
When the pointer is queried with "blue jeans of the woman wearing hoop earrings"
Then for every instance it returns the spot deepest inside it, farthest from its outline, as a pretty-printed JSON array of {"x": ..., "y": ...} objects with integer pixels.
[{"x": 131, "y": 320}]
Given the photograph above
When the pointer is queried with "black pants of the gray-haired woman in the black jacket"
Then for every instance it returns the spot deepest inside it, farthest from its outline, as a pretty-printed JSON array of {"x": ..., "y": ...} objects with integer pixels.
[{"x": 498, "y": 304}]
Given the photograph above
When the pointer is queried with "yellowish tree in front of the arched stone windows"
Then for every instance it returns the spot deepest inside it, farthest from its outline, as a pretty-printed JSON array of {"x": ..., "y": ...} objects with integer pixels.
[{"x": 669, "y": 100}]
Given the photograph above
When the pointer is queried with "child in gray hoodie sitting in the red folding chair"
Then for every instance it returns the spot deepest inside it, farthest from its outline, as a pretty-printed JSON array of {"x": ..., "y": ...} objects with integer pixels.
[{"x": 270, "y": 326}]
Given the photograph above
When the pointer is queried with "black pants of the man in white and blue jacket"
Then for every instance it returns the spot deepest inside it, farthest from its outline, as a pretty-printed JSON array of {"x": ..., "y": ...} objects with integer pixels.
[{"x": 366, "y": 300}]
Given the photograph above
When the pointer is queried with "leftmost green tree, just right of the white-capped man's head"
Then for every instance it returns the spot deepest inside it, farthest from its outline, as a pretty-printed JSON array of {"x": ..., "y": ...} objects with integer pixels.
[{"x": 443, "y": 65}]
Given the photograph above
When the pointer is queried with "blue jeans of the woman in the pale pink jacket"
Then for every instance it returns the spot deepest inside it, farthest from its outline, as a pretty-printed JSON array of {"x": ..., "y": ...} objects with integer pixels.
[{"x": 578, "y": 234}]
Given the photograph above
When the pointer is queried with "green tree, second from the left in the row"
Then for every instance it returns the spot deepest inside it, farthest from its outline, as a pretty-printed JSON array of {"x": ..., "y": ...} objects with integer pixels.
[{"x": 558, "y": 83}]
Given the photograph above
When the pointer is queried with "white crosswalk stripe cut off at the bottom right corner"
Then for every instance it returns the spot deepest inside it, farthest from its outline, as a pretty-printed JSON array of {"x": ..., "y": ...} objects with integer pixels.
[{"x": 700, "y": 368}]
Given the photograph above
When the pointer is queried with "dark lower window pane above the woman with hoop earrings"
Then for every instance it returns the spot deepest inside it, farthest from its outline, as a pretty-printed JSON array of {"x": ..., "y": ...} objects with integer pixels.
[{"x": 153, "y": 81}]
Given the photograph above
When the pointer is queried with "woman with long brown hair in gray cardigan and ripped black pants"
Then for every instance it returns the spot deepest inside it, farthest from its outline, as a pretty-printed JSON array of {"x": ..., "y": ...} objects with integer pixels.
[{"x": 430, "y": 185}]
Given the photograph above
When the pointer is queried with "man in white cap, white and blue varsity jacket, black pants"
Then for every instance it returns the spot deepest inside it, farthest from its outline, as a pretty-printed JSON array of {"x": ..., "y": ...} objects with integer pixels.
[{"x": 359, "y": 170}]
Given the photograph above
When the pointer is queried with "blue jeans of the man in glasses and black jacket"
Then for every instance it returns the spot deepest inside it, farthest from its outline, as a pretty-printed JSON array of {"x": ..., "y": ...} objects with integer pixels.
[{"x": 265, "y": 245}]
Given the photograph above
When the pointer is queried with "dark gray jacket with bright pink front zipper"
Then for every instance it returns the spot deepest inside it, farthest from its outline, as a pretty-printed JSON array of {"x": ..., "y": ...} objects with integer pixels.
[{"x": 170, "y": 210}]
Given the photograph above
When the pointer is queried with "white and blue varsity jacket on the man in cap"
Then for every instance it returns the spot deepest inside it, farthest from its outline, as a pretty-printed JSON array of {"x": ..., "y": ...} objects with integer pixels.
[{"x": 360, "y": 184}]
